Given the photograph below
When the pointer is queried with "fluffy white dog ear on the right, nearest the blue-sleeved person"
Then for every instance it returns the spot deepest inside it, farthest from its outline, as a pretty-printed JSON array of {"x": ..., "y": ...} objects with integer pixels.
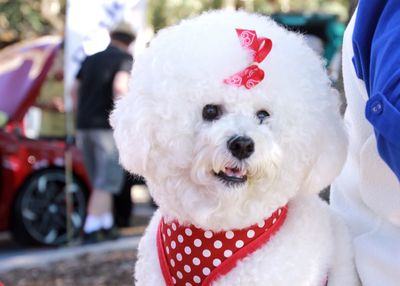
[{"x": 330, "y": 149}]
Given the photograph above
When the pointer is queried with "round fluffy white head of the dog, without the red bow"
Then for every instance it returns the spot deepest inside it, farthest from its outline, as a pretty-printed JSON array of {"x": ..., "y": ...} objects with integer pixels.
[{"x": 220, "y": 156}]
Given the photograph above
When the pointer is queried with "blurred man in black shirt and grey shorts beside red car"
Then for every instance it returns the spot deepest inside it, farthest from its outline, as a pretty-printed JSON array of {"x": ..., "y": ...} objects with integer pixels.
[{"x": 101, "y": 79}]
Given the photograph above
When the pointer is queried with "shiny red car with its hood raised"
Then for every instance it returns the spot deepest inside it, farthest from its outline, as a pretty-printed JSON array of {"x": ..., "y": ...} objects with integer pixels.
[{"x": 32, "y": 170}]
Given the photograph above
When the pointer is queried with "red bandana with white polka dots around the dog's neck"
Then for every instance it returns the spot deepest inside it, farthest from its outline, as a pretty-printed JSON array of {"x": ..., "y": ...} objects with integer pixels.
[{"x": 191, "y": 256}]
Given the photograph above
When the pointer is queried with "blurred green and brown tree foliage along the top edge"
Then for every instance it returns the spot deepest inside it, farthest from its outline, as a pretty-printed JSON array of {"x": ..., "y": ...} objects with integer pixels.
[{"x": 22, "y": 19}]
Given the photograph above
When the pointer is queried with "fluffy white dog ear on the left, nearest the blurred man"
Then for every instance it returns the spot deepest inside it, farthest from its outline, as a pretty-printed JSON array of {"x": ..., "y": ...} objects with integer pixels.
[{"x": 132, "y": 132}]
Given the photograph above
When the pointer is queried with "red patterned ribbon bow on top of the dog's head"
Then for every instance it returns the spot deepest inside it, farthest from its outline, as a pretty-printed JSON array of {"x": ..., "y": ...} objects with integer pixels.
[{"x": 252, "y": 75}]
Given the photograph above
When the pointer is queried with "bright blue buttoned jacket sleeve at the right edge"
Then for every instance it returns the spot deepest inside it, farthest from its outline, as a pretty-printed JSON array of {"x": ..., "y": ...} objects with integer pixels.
[{"x": 376, "y": 44}]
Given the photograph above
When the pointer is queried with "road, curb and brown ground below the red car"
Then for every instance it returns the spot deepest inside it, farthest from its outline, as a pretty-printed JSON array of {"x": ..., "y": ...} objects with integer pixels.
[{"x": 107, "y": 263}]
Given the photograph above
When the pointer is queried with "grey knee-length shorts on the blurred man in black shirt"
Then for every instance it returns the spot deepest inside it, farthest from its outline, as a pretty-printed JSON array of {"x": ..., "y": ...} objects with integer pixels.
[{"x": 100, "y": 156}]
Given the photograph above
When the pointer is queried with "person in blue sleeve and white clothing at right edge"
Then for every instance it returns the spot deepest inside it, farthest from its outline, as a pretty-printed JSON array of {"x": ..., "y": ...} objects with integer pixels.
[{"x": 367, "y": 193}]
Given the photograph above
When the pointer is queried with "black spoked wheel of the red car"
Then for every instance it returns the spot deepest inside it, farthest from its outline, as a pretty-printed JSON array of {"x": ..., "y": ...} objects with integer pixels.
[{"x": 40, "y": 215}]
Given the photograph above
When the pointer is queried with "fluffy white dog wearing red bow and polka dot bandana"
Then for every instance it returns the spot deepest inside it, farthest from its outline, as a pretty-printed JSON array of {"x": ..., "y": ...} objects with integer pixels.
[{"x": 233, "y": 122}]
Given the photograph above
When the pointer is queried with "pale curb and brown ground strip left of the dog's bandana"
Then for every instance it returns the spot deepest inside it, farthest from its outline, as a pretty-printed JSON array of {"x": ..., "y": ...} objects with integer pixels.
[{"x": 105, "y": 264}]
